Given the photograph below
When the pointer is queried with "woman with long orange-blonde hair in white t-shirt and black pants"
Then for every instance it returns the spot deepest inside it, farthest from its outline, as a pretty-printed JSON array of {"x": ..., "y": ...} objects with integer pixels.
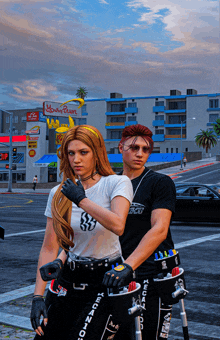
[{"x": 85, "y": 218}]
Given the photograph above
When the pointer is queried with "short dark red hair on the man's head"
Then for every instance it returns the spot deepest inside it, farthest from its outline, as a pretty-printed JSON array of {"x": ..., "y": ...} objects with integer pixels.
[{"x": 137, "y": 130}]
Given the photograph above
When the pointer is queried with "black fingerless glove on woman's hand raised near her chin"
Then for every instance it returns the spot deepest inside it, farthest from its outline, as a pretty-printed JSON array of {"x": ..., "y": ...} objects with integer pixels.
[{"x": 74, "y": 192}]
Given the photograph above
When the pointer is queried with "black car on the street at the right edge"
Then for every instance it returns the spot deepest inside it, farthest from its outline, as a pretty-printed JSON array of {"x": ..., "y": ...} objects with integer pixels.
[{"x": 197, "y": 202}]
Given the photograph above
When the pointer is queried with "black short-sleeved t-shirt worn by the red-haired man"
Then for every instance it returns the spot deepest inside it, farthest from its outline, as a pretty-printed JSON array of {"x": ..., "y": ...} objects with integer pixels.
[{"x": 152, "y": 191}]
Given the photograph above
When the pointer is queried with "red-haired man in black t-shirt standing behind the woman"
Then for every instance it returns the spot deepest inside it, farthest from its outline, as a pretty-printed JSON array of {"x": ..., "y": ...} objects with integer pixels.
[{"x": 147, "y": 230}]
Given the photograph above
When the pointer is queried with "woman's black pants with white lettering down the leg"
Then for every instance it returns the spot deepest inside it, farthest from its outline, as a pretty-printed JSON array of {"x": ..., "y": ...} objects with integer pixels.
[{"x": 76, "y": 314}]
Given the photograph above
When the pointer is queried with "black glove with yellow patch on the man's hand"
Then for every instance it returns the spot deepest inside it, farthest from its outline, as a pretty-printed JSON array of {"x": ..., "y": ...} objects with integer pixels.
[{"x": 119, "y": 276}]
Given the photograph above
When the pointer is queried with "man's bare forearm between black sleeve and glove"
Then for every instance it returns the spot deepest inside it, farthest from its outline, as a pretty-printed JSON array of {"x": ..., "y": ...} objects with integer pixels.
[{"x": 160, "y": 221}]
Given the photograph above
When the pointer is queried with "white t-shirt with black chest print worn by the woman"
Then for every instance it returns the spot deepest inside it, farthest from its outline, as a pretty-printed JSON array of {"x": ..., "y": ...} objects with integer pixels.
[{"x": 91, "y": 239}]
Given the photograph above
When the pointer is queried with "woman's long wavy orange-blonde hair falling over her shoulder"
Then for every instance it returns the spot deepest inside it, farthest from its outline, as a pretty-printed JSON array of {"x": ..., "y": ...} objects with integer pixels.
[{"x": 61, "y": 205}]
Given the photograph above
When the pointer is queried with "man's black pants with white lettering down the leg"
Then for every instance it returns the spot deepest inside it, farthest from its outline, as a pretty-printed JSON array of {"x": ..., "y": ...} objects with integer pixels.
[{"x": 155, "y": 320}]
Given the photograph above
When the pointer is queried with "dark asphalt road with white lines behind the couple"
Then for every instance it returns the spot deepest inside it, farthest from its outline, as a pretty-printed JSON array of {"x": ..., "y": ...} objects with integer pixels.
[{"x": 22, "y": 216}]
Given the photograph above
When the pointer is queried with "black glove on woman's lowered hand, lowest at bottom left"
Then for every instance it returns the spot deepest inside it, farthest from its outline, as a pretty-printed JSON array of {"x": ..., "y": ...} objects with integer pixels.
[{"x": 38, "y": 308}]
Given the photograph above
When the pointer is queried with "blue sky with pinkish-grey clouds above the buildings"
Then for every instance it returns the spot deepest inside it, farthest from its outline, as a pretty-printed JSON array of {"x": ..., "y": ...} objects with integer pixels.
[{"x": 137, "y": 47}]
